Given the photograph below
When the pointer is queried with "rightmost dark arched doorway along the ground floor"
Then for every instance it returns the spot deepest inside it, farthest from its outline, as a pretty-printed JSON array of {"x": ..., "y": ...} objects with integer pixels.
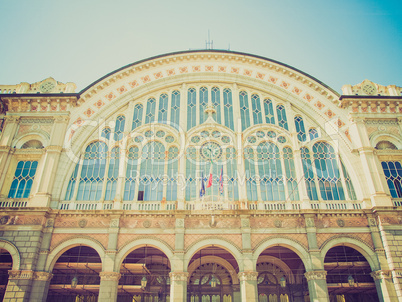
[{"x": 348, "y": 276}]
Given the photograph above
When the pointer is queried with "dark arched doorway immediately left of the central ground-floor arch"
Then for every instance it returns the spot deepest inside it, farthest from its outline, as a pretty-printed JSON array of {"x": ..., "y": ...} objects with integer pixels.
[{"x": 144, "y": 276}]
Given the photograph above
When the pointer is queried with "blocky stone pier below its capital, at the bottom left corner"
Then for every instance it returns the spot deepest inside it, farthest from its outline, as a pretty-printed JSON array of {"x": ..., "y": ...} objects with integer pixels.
[{"x": 19, "y": 286}]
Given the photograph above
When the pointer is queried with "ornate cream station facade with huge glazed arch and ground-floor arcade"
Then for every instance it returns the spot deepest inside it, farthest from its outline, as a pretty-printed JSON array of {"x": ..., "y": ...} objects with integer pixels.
[{"x": 201, "y": 176}]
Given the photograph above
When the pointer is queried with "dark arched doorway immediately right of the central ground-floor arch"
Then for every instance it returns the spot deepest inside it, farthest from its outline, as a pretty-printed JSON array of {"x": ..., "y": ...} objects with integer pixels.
[{"x": 281, "y": 276}]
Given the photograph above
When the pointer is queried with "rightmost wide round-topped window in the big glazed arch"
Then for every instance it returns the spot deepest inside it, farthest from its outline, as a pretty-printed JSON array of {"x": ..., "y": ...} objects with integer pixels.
[{"x": 327, "y": 172}]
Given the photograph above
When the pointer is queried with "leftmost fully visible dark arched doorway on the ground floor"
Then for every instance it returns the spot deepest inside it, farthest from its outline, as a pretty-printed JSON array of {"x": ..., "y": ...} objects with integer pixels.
[{"x": 76, "y": 276}]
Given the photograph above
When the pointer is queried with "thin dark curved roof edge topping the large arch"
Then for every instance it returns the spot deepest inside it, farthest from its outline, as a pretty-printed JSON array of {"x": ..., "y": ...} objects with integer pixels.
[{"x": 207, "y": 50}]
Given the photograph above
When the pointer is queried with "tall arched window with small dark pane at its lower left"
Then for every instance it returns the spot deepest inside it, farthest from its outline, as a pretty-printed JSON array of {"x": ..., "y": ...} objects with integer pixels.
[{"x": 152, "y": 171}]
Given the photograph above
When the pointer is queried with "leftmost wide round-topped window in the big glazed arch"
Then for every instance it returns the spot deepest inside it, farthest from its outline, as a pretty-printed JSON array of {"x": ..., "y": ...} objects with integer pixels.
[{"x": 93, "y": 172}]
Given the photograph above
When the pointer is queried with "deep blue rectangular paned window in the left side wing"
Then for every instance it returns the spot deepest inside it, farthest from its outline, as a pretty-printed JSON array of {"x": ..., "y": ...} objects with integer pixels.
[{"x": 23, "y": 179}]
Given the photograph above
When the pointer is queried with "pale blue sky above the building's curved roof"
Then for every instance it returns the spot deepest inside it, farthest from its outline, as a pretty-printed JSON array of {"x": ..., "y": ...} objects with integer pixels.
[{"x": 338, "y": 42}]
